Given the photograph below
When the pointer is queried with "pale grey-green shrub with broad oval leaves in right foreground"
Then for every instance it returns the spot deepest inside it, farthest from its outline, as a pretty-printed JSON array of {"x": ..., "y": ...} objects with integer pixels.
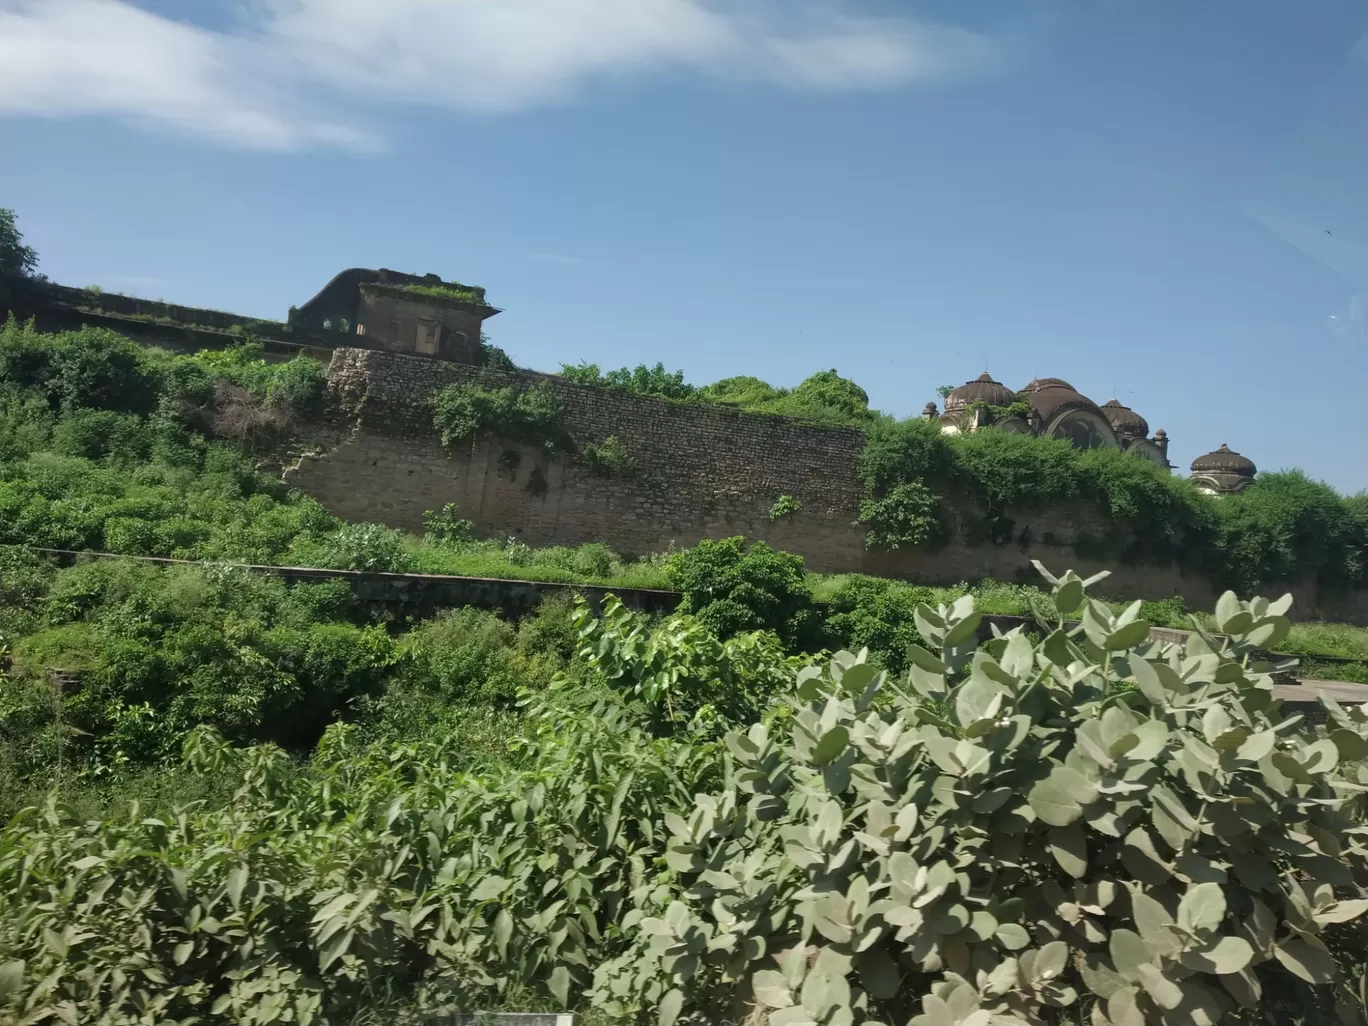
[{"x": 1091, "y": 823}]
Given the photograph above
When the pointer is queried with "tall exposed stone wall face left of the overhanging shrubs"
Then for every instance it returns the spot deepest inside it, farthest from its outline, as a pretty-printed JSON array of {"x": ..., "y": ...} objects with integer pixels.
[{"x": 702, "y": 471}]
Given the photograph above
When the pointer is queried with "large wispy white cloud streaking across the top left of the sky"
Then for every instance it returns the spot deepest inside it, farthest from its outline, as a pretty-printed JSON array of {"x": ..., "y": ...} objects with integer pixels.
[{"x": 280, "y": 79}]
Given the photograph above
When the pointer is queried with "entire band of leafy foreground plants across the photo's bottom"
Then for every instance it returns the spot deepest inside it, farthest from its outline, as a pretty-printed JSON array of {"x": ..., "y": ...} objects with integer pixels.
[{"x": 1090, "y": 828}]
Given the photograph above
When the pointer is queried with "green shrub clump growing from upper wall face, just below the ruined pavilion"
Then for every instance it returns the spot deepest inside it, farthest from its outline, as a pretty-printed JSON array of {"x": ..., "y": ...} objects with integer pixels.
[{"x": 527, "y": 415}]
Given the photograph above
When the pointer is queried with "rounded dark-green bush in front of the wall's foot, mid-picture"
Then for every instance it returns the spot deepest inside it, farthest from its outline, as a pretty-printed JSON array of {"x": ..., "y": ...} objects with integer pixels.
[{"x": 733, "y": 589}]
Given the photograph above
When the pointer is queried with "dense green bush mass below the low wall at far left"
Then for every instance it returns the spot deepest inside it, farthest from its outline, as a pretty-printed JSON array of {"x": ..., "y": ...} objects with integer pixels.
[{"x": 158, "y": 652}]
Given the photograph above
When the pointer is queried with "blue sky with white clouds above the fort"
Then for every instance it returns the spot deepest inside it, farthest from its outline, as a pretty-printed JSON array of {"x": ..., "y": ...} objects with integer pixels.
[{"x": 1132, "y": 196}]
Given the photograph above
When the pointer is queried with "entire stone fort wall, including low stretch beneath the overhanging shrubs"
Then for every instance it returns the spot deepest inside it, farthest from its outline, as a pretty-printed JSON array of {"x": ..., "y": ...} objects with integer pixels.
[{"x": 701, "y": 473}]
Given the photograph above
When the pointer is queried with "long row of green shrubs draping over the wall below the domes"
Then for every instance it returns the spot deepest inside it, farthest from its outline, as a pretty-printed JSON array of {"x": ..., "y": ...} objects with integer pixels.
[{"x": 1285, "y": 527}]
